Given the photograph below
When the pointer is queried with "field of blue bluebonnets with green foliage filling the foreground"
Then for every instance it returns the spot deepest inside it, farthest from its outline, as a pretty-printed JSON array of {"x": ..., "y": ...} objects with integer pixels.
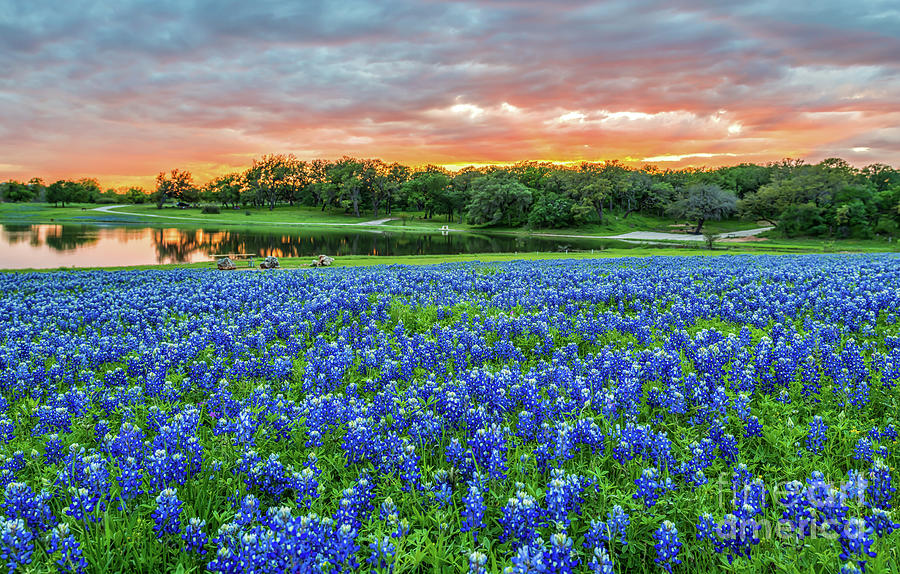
[{"x": 666, "y": 414}]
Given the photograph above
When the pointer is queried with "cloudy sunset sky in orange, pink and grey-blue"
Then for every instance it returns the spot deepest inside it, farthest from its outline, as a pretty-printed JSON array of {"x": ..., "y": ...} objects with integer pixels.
[{"x": 120, "y": 90}]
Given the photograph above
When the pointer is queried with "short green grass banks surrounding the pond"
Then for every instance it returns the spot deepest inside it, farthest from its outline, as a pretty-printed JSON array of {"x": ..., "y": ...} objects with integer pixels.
[{"x": 314, "y": 221}]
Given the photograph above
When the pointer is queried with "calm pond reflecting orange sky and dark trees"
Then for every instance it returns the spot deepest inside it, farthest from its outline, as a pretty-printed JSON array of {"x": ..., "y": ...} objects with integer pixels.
[{"x": 50, "y": 246}]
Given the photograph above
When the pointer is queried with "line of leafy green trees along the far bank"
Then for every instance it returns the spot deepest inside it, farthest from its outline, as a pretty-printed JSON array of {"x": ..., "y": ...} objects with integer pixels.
[{"x": 829, "y": 198}]
